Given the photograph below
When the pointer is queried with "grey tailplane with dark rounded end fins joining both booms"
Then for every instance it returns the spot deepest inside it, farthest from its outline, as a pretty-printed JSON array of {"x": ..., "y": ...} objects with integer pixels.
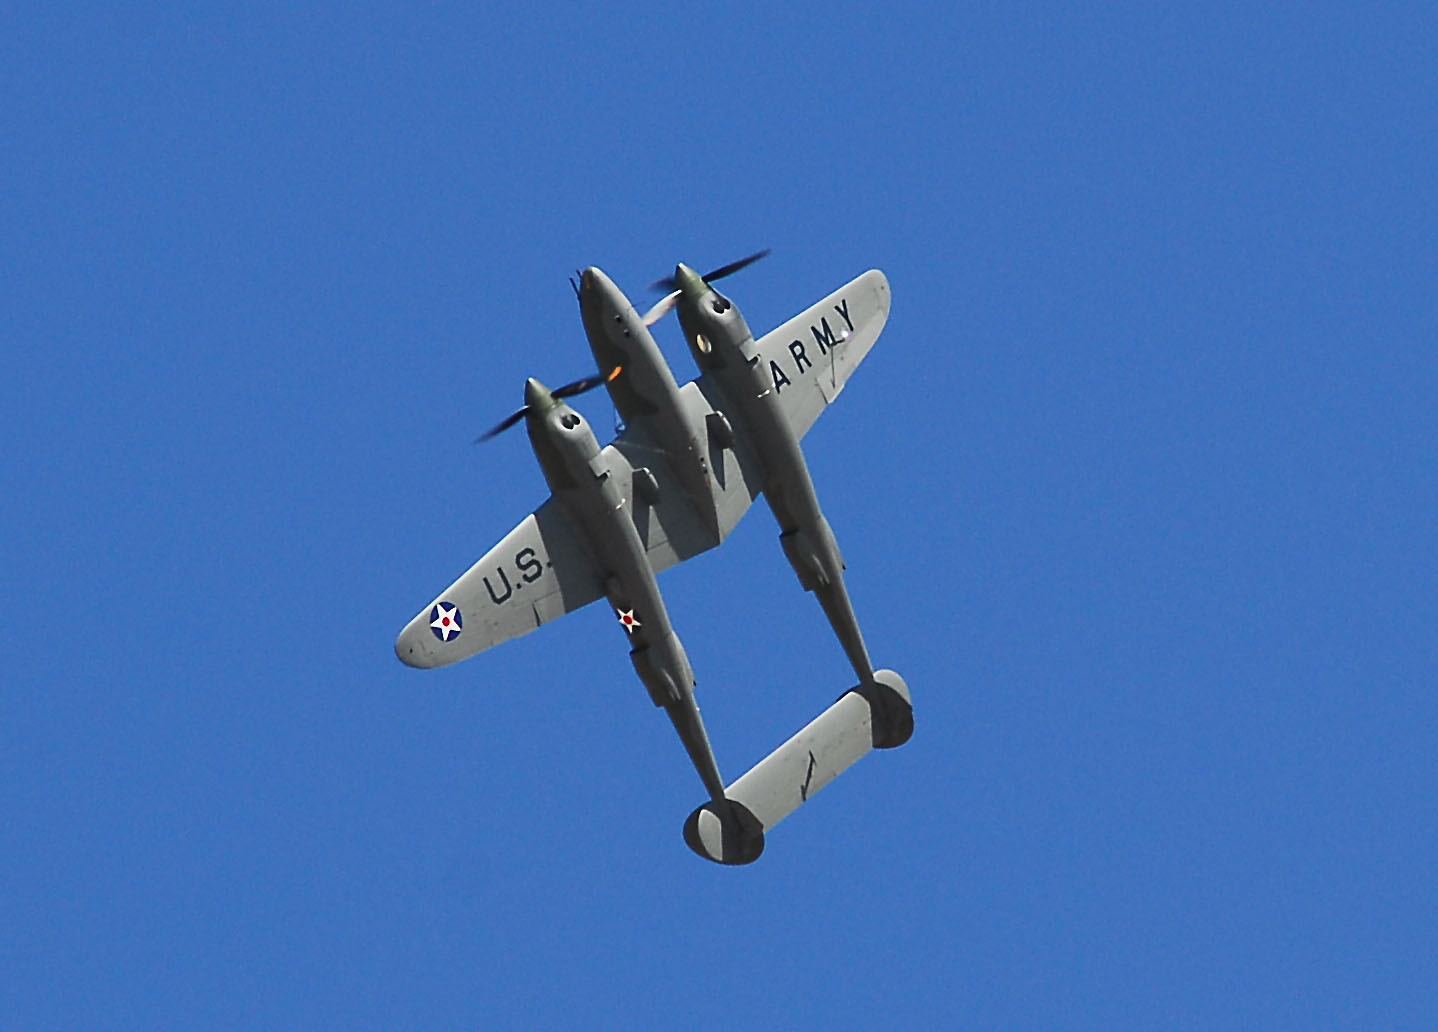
[{"x": 869, "y": 717}]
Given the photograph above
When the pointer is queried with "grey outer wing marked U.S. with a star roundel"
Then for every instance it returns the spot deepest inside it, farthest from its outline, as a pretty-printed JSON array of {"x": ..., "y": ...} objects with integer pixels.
[{"x": 539, "y": 573}]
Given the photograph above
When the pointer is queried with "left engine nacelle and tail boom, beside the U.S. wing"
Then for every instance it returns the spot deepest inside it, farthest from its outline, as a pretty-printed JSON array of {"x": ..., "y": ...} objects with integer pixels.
[{"x": 582, "y": 481}]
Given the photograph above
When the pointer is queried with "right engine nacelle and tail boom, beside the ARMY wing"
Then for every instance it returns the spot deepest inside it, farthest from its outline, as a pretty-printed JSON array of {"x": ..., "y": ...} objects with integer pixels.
[{"x": 724, "y": 349}]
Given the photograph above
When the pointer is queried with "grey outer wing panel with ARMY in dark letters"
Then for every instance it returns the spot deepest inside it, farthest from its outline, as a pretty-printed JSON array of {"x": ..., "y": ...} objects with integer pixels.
[{"x": 813, "y": 354}]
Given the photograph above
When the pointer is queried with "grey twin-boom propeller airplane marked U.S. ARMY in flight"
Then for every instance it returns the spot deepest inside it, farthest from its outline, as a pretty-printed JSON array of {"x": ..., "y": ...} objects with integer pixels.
[{"x": 687, "y": 468}]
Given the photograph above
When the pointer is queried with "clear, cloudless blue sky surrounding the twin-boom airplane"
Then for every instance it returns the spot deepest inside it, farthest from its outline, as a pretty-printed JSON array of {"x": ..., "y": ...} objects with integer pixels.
[{"x": 1137, "y": 491}]
